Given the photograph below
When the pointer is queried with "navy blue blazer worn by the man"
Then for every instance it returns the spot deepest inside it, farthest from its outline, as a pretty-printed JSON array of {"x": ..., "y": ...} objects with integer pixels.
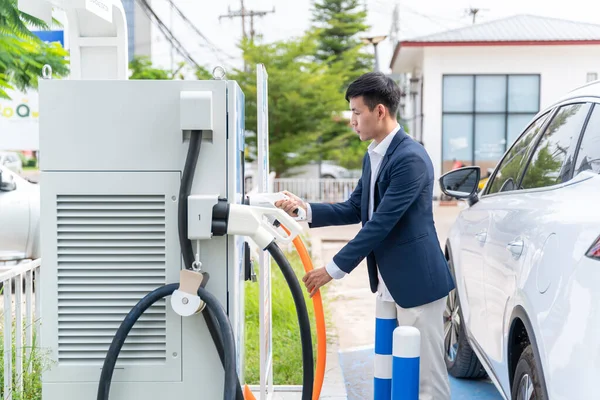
[{"x": 400, "y": 238}]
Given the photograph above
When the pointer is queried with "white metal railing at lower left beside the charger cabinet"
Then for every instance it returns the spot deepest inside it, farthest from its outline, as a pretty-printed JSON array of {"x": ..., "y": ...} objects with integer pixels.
[{"x": 19, "y": 337}]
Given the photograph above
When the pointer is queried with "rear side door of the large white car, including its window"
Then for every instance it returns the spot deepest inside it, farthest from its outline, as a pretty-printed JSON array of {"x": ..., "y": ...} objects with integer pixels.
[{"x": 517, "y": 231}]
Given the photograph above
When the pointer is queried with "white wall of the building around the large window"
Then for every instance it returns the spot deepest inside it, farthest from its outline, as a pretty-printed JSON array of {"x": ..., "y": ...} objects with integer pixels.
[{"x": 562, "y": 68}]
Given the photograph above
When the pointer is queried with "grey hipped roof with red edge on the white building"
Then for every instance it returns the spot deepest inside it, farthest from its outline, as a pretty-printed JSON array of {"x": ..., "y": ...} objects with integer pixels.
[{"x": 517, "y": 30}]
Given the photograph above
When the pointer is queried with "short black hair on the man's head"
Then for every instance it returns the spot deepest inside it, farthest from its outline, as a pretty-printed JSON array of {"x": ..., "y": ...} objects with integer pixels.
[{"x": 376, "y": 88}]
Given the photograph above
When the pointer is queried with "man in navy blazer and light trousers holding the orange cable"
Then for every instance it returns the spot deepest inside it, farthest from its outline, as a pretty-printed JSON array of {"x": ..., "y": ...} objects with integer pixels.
[{"x": 393, "y": 200}]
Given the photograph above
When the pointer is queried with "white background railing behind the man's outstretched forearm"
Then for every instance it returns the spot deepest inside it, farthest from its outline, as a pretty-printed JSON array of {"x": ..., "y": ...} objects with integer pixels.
[{"x": 317, "y": 190}]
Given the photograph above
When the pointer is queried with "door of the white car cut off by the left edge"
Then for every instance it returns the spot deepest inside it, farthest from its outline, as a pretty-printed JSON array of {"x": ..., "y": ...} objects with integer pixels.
[{"x": 14, "y": 220}]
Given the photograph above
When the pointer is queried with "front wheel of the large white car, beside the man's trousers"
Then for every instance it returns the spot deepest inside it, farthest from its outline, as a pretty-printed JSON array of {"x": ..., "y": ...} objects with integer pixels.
[{"x": 461, "y": 361}]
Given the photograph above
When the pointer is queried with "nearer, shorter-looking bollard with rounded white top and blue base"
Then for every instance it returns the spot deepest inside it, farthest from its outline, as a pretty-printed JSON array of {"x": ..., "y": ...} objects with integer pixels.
[{"x": 405, "y": 368}]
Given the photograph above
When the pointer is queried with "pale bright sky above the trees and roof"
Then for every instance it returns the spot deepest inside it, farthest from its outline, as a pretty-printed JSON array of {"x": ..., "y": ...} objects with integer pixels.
[{"x": 292, "y": 17}]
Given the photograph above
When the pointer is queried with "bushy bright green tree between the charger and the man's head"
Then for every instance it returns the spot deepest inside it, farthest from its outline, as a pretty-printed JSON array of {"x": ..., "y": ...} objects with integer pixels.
[{"x": 304, "y": 97}]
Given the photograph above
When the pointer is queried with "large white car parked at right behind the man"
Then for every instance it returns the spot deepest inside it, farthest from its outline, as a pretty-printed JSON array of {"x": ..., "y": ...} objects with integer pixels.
[{"x": 522, "y": 266}]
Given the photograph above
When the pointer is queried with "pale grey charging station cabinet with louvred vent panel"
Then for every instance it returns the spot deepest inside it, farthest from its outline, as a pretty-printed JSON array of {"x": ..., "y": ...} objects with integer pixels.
[{"x": 112, "y": 155}]
